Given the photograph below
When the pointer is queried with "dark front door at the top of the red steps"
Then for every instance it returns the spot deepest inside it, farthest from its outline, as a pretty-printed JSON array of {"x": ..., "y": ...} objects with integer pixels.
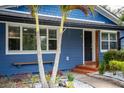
[{"x": 88, "y": 45}]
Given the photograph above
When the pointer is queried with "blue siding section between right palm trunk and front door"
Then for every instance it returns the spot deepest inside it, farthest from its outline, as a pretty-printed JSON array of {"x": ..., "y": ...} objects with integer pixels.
[{"x": 71, "y": 47}]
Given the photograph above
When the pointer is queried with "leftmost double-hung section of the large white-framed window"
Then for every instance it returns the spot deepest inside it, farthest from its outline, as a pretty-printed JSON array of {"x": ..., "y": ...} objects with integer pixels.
[{"x": 14, "y": 38}]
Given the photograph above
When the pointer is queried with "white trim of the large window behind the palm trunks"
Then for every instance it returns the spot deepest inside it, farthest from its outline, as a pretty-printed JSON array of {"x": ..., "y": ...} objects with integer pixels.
[{"x": 21, "y": 51}]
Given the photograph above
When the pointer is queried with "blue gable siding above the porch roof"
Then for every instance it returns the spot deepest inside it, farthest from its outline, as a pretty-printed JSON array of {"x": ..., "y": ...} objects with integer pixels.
[{"x": 55, "y": 10}]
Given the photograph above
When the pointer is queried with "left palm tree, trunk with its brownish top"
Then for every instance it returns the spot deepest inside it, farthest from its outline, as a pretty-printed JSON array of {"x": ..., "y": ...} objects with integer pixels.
[{"x": 34, "y": 13}]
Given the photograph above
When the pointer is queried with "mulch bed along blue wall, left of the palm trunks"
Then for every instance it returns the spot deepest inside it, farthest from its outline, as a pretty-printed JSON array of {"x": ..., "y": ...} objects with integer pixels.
[{"x": 19, "y": 81}]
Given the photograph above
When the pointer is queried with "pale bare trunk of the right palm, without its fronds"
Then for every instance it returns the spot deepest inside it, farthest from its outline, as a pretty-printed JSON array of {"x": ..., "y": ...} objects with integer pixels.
[{"x": 57, "y": 57}]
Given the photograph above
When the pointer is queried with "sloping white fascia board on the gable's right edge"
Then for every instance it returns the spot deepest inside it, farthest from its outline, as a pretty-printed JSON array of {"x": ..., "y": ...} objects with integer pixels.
[{"x": 107, "y": 14}]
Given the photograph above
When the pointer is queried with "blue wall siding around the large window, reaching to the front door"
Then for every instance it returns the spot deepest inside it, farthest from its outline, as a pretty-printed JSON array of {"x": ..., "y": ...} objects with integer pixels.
[{"x": 71, "y": 47}]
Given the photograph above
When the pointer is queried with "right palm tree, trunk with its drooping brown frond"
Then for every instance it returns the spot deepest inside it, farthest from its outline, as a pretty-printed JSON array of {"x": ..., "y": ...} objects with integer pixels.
[{"x": 65, "y": 9}]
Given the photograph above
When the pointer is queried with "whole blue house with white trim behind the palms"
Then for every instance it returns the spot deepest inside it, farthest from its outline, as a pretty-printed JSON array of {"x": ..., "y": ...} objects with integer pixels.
[{"x": 85, "y": 38}]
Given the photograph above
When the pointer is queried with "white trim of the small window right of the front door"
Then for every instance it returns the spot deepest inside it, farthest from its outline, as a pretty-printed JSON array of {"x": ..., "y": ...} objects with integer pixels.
[{"x": 106, "y": 31}]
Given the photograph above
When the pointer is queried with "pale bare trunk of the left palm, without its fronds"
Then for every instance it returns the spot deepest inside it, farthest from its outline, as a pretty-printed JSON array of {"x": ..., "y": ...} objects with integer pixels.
[{"x": 39, "y": 55}]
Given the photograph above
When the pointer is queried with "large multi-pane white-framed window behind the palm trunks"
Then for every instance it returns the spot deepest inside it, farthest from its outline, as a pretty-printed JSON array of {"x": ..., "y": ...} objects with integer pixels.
[{"x": 21, "y": 39}]
